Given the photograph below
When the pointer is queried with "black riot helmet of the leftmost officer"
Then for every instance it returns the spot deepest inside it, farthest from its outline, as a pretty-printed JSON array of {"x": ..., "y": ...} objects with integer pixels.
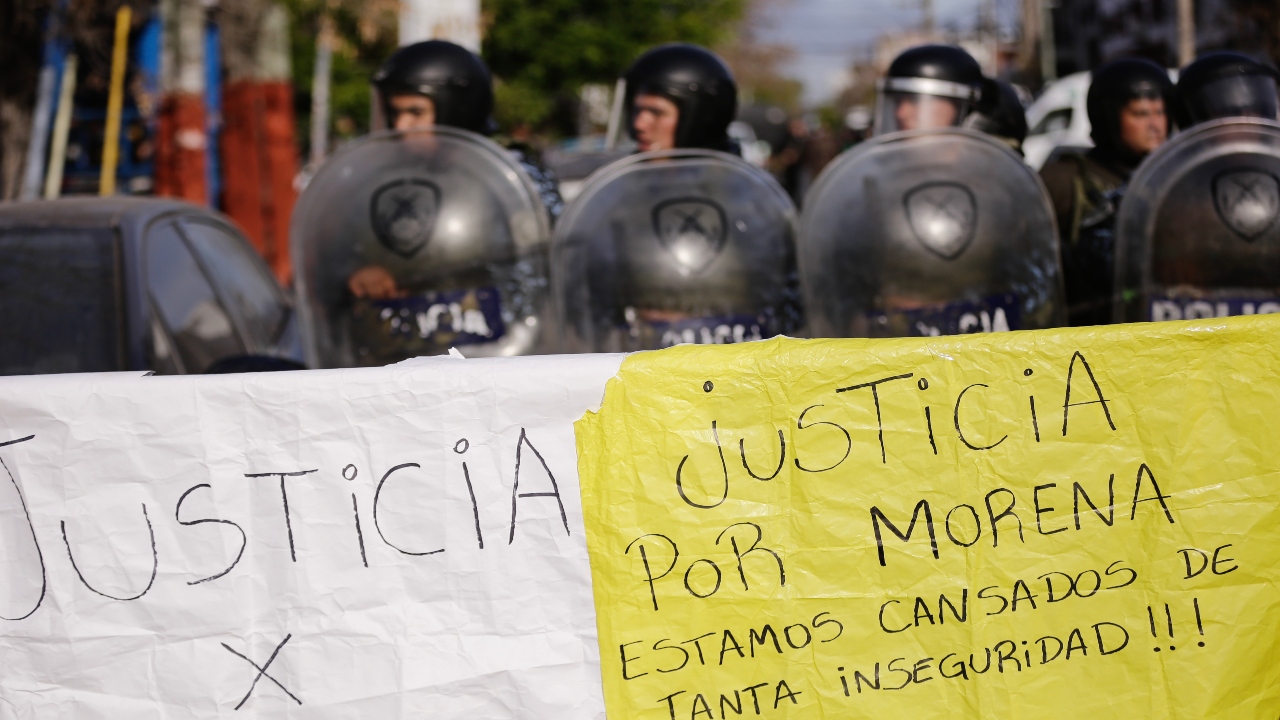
[{"x": 454, "y": 78}]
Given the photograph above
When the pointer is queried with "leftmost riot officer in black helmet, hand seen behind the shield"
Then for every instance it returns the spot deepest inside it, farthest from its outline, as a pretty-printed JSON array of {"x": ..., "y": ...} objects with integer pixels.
[{"x": 441, "y": 84}]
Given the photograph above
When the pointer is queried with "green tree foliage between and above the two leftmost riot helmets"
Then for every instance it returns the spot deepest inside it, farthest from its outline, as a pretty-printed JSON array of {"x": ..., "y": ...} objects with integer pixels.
[{"x": 543, "y": 52}]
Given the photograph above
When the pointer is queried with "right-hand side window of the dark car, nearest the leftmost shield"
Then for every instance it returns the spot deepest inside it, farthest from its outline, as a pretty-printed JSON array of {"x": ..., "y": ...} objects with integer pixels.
[{"x": 248, "y": 288}]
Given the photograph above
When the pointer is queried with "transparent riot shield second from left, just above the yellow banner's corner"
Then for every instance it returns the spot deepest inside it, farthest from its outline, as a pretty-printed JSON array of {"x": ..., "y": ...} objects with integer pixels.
[{"x": 671, "y": 248}]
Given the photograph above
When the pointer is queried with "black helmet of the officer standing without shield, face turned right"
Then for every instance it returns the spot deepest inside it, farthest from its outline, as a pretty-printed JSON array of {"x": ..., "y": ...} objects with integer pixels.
[{"x": 1112, "y": 89}]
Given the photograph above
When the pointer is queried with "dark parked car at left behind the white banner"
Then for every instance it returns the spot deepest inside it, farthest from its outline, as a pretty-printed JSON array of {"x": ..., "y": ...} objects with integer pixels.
[{"x": 127, "y": 284}]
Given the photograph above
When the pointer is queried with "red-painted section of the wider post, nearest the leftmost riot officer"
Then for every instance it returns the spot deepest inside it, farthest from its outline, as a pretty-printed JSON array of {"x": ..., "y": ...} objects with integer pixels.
[{"x": 259, "y": 163}]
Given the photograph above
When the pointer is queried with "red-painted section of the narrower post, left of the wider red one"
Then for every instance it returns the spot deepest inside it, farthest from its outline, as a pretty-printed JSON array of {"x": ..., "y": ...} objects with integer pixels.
[{"x": 181, "y": 144}]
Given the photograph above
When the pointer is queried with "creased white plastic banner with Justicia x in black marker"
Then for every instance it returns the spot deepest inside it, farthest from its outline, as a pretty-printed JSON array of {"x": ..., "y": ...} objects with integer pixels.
[{"x": 299, "y": 545}]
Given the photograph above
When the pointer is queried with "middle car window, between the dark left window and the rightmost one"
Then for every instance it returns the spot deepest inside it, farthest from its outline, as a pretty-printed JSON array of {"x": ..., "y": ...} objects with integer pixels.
[{"x": 202, "y": 330}]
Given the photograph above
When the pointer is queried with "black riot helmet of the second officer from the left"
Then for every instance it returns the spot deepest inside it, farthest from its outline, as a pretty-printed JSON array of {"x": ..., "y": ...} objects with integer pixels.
[{"x": 697, "y": 81}]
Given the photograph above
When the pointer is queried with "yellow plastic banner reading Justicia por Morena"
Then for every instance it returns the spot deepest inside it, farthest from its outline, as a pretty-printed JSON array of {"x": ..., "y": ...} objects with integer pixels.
[{"x": 1055, "y": 525}]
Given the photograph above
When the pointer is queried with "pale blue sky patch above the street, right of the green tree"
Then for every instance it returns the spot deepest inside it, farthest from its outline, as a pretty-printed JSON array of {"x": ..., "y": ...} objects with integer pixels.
[{"x": 828, "y": 35}]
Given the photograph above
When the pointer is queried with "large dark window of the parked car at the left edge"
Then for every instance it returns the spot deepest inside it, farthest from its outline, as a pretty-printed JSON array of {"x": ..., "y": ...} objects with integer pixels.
[{"x": 61, "y": 302}]
